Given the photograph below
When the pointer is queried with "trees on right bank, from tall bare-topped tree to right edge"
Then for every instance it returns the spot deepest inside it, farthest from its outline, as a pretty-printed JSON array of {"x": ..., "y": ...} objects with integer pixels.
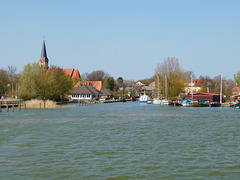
[{"x": 173, "y": 78}]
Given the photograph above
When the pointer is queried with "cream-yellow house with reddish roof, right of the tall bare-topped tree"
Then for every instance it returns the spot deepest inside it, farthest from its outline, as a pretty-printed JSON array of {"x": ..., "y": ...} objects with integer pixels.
[{"x": 193, "y": 85}]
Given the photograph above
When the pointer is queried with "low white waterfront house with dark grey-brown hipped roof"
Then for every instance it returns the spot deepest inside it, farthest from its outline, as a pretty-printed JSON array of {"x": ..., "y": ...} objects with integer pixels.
[{"x": 85, "y": 92}]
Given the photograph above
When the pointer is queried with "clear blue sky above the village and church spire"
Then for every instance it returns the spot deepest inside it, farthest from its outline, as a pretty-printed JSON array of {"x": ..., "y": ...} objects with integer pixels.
[{"x": 126, "y": 38}]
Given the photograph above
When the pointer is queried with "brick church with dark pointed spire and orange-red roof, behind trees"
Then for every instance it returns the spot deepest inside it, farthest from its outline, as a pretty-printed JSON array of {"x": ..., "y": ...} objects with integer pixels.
[{"x": 43, "y": 62}]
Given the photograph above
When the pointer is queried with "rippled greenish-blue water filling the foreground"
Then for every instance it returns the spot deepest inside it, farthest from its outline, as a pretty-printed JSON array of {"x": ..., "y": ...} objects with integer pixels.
[{"x": 120, "y": 141}]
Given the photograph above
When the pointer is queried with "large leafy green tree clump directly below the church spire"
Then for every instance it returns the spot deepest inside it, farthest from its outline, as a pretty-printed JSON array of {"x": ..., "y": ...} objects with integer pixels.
[{"x": 42, "y": 83}]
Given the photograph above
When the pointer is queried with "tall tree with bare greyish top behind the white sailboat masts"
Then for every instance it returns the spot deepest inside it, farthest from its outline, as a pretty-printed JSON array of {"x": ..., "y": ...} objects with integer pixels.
[{"x": 176, "y": 77}]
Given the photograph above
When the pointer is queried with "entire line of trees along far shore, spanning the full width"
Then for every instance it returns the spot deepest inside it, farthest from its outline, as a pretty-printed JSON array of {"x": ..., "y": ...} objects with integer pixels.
[{"x": 52, "y": 83}]
